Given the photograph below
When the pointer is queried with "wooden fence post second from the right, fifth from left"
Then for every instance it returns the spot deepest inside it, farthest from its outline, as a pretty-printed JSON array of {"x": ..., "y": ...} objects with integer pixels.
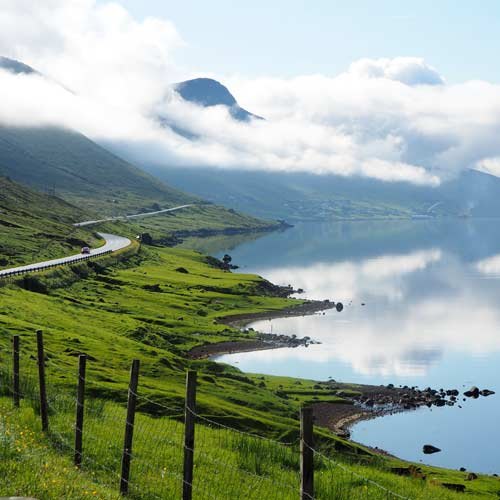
[{"x": 189, "y": 425}]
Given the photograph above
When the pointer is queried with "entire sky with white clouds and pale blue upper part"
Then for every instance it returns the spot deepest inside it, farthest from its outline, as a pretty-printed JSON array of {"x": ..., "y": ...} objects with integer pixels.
[{"x": 399, "y": 94}]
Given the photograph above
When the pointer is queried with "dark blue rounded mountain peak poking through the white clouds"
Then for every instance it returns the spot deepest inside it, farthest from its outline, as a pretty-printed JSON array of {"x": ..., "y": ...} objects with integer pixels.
[{"x": 207, "y": 92}]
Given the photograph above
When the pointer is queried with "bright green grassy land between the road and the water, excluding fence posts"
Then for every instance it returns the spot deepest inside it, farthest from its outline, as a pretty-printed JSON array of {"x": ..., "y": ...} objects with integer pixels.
[{"x": 155, "y": 307}]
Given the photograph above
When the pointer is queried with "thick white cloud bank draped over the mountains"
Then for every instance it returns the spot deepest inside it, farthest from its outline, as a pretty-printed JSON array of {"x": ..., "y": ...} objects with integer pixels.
[{"x": 390, "y": 119}]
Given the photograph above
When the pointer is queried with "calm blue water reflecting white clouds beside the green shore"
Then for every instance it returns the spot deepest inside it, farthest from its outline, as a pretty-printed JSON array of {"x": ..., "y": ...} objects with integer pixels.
[{"x": 431, "y": 291}]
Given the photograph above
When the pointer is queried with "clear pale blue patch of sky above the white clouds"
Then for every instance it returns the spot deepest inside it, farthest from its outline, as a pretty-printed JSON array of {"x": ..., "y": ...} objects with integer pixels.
[{"x": 286, "y": 38}]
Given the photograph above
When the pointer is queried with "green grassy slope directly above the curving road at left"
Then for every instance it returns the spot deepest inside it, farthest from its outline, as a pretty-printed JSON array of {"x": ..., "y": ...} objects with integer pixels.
[{"x": 35, "y": 226}]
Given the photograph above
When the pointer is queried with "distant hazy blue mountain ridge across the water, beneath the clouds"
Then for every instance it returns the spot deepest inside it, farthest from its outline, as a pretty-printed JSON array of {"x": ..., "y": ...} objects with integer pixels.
[{"x": 305, "y": 196}]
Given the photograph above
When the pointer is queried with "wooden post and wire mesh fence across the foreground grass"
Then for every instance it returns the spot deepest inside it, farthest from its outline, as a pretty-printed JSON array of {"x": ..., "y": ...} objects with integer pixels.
[{"x": 172, "y": 451}]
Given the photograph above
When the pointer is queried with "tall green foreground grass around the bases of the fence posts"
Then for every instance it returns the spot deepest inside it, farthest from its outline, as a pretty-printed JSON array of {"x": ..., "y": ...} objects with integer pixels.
[{"x": 228, "y": 465}]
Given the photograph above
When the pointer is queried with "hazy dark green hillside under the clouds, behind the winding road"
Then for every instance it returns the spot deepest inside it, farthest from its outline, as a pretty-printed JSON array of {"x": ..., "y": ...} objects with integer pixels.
[{"x": 80, "y": 171}]
